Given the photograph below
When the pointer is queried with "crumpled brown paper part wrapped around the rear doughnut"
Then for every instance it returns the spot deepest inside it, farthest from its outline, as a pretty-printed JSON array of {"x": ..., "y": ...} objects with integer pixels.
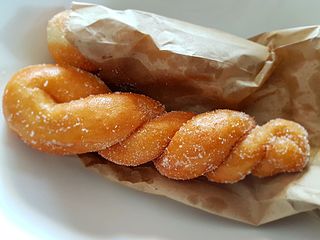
[{"x": 184, "y": 66}]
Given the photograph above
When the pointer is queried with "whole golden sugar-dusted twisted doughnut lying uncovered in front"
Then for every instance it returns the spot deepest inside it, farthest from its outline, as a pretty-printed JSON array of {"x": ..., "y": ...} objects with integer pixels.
[{"x": 65, "y": 110}]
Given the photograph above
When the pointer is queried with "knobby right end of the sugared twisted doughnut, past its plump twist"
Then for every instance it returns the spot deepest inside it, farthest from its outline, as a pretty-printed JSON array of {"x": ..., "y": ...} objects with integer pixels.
[{"x": 276, "y": 147}]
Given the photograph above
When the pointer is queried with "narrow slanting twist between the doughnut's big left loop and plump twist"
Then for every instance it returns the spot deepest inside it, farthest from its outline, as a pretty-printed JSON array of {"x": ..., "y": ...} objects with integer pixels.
[{"x": 148, "y": 142}]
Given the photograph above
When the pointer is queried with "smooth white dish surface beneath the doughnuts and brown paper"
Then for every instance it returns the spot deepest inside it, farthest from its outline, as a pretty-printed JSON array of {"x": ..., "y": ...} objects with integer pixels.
[{"x": 50, "y": 197}]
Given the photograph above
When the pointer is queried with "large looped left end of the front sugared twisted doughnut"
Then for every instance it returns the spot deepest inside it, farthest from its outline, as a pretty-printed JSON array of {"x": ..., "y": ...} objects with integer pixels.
[{"x": 69, "y": 111}]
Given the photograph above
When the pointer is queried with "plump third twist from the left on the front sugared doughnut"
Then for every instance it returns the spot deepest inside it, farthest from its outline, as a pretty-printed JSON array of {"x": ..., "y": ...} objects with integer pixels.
[{"x": 203, "y": 143}]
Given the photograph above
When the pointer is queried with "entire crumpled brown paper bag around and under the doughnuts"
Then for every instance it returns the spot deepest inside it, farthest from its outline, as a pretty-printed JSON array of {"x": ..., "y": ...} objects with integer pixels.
[{"x": 193, "y": 68}]
